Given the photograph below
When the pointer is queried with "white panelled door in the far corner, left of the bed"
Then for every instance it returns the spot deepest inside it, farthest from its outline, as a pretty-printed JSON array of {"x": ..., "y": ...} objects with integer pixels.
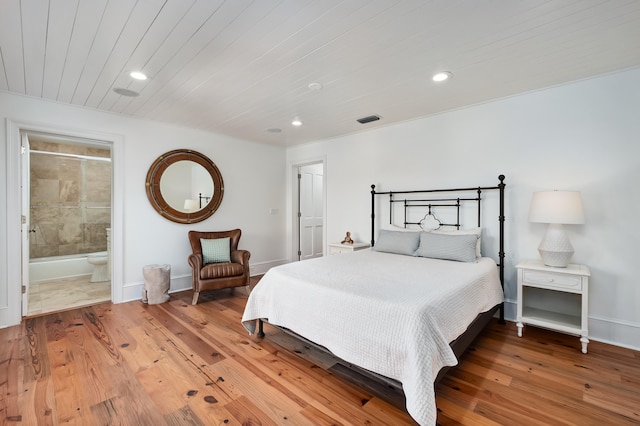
[{"x": 310, "y": 213}]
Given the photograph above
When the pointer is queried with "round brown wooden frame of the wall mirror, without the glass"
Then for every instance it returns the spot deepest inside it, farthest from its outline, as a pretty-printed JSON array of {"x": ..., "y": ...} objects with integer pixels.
[{"x": 160, "y": 204}]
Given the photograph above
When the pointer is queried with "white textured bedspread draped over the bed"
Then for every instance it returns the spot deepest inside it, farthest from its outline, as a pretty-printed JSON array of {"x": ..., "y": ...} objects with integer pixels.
[{"x": 391, "y": 314}]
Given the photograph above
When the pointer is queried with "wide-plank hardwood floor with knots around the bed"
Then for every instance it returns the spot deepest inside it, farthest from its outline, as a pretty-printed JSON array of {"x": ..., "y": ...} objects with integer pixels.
[{"x": 178, "y": 364}]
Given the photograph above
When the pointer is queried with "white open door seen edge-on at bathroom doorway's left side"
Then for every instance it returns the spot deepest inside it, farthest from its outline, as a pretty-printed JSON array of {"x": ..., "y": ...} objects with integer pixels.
[{"x": 25, "y": 228}]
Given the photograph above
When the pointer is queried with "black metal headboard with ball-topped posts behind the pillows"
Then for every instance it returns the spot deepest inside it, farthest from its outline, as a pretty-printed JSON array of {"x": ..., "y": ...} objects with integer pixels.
[{"x": 445, "y": 198}]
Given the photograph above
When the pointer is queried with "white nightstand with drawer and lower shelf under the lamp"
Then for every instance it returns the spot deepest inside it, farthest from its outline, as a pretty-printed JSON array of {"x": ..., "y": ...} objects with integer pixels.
[{"x": 572, "y": 279}]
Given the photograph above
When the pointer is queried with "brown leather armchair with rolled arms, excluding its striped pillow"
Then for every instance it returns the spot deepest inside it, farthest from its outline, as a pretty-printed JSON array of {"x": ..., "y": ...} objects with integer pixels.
[{"x": 215, "y": 276}]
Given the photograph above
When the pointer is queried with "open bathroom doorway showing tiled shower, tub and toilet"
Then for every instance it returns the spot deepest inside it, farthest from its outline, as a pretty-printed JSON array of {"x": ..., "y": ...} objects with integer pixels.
[{"x": 66, "y": 188}]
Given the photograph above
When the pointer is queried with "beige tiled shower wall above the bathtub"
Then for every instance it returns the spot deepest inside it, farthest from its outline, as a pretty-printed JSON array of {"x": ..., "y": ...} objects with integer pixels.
[{"x": 70, "y": 200}]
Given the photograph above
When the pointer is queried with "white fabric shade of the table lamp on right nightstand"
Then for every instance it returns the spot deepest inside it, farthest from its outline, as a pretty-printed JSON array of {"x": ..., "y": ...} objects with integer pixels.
[{"x": 563, "y": 207}]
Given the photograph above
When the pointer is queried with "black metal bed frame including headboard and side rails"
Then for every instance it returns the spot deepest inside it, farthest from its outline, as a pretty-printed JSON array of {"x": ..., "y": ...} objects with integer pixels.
[{"x": 433, "y": 200}]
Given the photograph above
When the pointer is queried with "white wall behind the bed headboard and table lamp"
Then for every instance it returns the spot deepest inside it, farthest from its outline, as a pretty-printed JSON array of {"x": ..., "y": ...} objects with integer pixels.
[{"x": 583, "y": 136}]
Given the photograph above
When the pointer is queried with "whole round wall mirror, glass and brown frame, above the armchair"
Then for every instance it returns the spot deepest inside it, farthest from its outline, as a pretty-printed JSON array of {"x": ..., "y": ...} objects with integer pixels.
[{"x": 184, "y": 186}]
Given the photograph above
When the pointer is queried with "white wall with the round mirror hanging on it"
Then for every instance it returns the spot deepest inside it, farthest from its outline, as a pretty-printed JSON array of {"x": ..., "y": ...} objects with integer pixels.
[{"x": 254, "y": 178}]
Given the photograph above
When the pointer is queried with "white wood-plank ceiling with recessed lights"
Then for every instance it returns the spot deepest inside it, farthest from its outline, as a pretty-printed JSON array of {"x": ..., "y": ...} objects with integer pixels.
[{"x": 241, "y": 67}]
